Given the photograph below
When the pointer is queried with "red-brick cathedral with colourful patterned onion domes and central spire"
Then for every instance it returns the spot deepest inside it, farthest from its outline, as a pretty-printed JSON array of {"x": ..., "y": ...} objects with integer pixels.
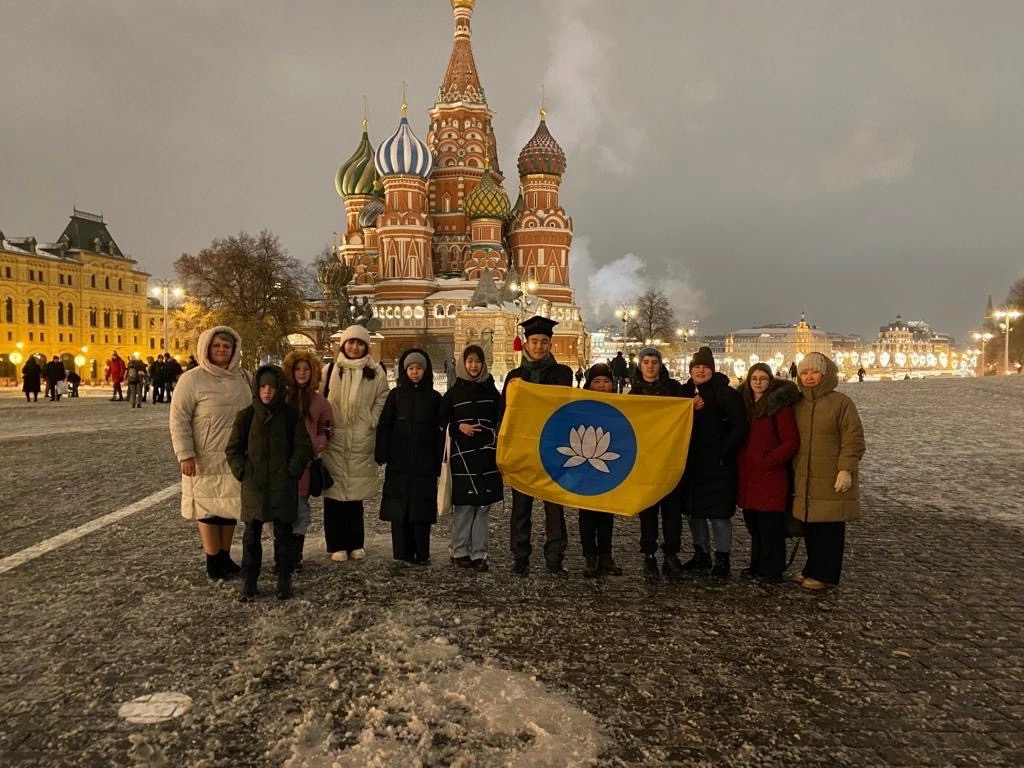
[{"x": 434, "y": 242}]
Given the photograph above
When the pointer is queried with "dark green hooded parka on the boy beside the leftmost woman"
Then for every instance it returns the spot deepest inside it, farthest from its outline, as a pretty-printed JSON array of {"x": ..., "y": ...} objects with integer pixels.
[{"x": 269, "y": 452}]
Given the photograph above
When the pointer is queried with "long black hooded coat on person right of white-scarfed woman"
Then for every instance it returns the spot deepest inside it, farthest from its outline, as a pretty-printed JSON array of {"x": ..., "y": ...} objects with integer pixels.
[{"x": 409, "y": 442}]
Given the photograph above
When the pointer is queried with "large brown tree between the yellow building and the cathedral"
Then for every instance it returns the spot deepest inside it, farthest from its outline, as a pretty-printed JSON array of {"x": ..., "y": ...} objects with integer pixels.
[{"x": 250, "y": 284}]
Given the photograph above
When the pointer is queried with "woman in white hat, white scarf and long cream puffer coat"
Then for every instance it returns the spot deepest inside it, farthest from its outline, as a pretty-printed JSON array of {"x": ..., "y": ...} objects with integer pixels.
[{"x": 357, "y": 389}]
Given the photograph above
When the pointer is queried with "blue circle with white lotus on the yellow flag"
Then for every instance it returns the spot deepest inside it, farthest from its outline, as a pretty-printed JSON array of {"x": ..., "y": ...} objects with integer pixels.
[{"x": 588, "y": 448}]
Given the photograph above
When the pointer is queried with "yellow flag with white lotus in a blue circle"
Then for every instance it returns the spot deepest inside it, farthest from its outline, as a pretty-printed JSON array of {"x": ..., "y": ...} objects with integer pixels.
[{"x": 611, "y": 453}]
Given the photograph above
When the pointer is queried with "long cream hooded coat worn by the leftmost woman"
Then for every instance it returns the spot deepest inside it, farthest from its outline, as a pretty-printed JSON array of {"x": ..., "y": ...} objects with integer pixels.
[{"x": 203, "y": 410}]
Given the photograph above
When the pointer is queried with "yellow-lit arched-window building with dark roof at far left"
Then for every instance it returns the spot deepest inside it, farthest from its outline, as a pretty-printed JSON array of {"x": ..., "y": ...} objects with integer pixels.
[{"x": 79, "y": 298}]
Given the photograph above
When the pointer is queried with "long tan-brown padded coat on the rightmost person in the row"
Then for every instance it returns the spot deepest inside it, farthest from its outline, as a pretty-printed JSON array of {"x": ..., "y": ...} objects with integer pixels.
[{"x": 832, "y": 439}]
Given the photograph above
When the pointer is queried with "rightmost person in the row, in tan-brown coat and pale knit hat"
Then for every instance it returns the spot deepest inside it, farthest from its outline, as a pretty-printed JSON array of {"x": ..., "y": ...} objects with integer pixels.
[{"x": 826, "y": 470}]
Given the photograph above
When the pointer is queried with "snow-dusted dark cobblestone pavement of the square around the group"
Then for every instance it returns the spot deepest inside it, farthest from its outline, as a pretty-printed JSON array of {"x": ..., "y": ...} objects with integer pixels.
[{"x": 917, "y": 660}]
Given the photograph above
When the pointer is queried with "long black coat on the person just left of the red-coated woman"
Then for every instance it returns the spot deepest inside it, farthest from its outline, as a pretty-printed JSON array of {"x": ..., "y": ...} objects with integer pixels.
[{"x": 709, "y": 487}]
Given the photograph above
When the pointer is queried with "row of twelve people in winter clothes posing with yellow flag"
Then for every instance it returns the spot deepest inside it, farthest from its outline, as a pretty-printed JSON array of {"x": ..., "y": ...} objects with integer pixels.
[{"x": 775, "y": 449}]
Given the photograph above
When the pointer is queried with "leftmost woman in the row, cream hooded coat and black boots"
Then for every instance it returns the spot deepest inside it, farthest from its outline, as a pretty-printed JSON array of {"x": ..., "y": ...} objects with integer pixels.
[{"x": 206, "y": 401}]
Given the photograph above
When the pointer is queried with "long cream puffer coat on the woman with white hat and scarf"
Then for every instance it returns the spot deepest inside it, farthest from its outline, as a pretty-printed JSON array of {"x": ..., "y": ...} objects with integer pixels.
[{"x": 350, "y": 455}]
